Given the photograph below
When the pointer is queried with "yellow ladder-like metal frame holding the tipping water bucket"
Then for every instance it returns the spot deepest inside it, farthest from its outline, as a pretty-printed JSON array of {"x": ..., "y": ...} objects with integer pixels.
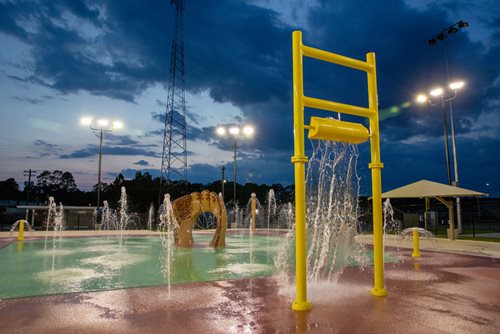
[{"x": 299, "y": 159}]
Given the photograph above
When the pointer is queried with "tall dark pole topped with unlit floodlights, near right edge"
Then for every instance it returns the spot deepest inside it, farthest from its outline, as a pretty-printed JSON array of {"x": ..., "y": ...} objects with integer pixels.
[{"x": 443, "y": 36}]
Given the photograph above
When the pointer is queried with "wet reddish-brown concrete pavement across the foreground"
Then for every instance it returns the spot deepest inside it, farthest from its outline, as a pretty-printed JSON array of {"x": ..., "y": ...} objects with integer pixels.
[{"x": 437, "y": 293}]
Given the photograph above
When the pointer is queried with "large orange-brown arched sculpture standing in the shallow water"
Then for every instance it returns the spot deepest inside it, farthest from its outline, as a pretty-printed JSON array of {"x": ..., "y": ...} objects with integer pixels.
[{"x": 187, "y": 209}]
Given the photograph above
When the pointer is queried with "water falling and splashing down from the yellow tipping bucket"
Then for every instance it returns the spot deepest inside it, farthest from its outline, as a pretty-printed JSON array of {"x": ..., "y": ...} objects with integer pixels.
[{"x": 331, "y": 217}]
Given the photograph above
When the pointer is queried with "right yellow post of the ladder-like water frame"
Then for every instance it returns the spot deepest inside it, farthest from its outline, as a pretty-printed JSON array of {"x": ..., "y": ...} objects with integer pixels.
[{"x": 376, "y": 168}]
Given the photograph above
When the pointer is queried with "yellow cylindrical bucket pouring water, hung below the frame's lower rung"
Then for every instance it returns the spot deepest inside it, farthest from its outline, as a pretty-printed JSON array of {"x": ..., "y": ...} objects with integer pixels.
[{"x": 336, "y": 130}]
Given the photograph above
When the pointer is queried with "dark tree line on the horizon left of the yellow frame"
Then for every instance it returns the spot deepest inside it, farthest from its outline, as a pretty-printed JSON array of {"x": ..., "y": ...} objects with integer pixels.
[{"x": 142, "y": 190}]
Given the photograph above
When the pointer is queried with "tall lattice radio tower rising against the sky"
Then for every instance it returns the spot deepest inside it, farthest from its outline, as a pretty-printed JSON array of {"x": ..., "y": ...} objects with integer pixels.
[{"x": 174, "y": 155}]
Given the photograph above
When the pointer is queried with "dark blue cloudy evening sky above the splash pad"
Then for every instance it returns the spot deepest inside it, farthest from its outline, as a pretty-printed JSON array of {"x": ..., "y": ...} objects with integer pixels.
[{"x": 61, "y": 60}]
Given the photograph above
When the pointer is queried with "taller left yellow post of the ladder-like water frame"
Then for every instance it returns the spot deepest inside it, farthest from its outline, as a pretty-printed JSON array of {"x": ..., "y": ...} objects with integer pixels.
[{"x": 299, "y": 160}]
